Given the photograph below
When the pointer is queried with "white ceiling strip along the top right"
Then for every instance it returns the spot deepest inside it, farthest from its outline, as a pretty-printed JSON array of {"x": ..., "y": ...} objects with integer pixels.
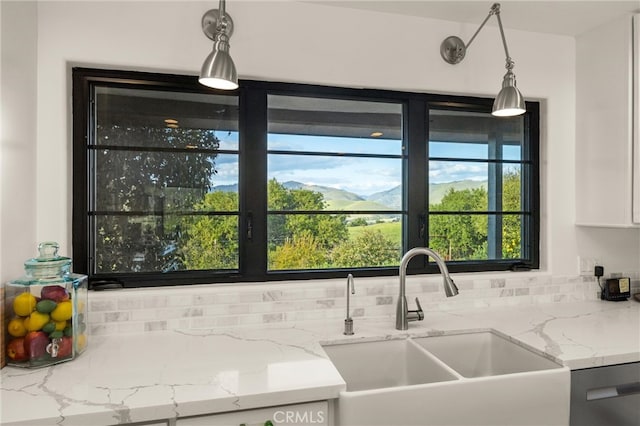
[{"x": 554, "y": 17}]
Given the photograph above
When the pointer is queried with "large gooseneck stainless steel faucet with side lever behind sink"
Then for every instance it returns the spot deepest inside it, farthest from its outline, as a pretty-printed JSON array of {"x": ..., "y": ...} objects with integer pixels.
[{"x": 403, "y": 314}]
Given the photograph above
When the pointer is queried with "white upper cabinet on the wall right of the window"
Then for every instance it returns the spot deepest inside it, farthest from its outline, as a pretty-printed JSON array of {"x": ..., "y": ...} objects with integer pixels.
[{"x": 607, "y": 120}]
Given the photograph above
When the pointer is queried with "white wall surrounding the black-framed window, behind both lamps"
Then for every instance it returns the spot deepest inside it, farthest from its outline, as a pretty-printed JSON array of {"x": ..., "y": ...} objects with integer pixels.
[{"x": 299, "y": 42}]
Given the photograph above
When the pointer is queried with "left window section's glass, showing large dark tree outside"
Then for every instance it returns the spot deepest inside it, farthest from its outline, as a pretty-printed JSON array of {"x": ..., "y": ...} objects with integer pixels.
[{"x": 164, "y": 162}]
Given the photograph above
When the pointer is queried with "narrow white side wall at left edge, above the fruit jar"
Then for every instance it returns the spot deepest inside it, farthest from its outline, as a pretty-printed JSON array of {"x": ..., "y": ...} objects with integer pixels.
[{"x": 18, "y": 85}]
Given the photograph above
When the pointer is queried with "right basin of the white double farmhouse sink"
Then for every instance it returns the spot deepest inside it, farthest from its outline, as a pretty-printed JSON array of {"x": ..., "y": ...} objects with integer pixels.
[{"x": 484, "y": 354}]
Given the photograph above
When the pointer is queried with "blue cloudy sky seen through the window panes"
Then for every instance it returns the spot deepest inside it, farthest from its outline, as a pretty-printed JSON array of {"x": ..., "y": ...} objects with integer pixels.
[{"x": 362, "y": 176}]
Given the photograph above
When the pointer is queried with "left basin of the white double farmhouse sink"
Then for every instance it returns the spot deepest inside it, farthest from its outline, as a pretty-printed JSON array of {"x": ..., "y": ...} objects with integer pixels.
[{"x": 386, "y": 363}]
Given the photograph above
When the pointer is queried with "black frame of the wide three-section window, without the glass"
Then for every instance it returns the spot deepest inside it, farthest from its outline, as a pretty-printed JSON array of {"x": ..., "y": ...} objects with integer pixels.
[{"x": 252, "y": 121}]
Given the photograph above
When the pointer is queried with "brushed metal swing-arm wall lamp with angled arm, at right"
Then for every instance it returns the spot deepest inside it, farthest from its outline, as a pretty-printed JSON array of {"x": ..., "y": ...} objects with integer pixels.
[{"x": 509, "y": 101}]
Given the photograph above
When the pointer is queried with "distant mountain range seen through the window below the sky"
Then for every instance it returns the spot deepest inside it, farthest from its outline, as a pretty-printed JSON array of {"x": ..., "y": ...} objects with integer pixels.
[{"x": 339, "y": 199}]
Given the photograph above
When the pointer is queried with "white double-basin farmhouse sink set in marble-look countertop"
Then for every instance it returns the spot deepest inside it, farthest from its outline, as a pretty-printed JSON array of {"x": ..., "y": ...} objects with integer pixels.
[{"x": 470, "y": 379}]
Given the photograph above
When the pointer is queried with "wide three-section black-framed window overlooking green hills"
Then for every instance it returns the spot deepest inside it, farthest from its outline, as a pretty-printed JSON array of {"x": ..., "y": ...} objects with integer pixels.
[{"x": 175, "y": 183}]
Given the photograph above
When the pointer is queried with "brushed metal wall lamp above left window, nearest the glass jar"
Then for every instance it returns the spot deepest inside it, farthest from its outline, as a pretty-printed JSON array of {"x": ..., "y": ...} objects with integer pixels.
[{"x": 218, "y": 70}]
